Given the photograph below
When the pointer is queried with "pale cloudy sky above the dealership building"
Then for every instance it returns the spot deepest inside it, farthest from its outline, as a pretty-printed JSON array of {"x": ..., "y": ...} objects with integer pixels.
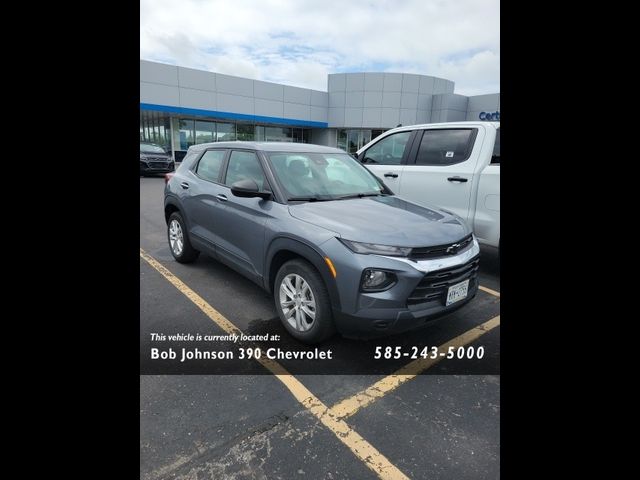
[{"x": 299, "y": 42}]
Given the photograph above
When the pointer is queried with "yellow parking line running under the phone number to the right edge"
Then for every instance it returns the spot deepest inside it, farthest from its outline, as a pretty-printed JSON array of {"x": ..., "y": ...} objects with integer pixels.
[{"x": 351, "y": 405}]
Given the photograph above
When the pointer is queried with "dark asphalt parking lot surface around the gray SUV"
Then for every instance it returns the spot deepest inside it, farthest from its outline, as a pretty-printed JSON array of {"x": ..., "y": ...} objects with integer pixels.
[{"x": 443, "y": 425}]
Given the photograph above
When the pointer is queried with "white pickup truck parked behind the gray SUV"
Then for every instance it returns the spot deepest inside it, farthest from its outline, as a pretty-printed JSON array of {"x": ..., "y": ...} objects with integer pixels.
[{"x": 455, "y": 166}]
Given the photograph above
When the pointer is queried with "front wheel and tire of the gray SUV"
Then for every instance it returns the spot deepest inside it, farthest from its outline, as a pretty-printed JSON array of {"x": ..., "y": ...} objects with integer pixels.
[{"x": 302, "y": 302}]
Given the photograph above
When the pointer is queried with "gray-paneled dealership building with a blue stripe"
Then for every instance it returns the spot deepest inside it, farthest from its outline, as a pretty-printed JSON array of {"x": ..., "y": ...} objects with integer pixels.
[{"x": 180, "y": 107}]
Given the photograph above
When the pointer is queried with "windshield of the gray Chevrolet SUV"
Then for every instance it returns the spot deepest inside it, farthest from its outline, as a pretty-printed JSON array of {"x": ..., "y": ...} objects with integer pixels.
[{"x": 322, "y": 176}]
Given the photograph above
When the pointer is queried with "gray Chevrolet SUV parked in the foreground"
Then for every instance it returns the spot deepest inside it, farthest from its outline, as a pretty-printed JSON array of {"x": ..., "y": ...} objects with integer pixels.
[{"x": 308, "y": 223}]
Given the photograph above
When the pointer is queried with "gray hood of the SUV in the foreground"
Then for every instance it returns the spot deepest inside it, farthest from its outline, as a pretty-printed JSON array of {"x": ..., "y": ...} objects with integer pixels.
[{"x": 384, "y": 220}]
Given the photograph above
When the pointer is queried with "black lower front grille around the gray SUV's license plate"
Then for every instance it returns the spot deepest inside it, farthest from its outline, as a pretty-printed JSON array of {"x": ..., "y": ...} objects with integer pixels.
[{"x": 434, "y": 285}]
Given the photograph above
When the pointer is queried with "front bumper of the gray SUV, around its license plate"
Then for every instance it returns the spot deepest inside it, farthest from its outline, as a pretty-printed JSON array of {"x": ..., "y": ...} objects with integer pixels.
[{"x": 417, "y": 298}]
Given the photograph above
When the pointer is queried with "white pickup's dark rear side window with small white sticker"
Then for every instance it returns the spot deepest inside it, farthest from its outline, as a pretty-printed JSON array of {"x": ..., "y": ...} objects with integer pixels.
[{"x": 445, "y": 147}]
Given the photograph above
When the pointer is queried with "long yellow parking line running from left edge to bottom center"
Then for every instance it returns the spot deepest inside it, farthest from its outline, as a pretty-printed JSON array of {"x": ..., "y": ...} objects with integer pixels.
[{"x": 362, "y": 449}]
